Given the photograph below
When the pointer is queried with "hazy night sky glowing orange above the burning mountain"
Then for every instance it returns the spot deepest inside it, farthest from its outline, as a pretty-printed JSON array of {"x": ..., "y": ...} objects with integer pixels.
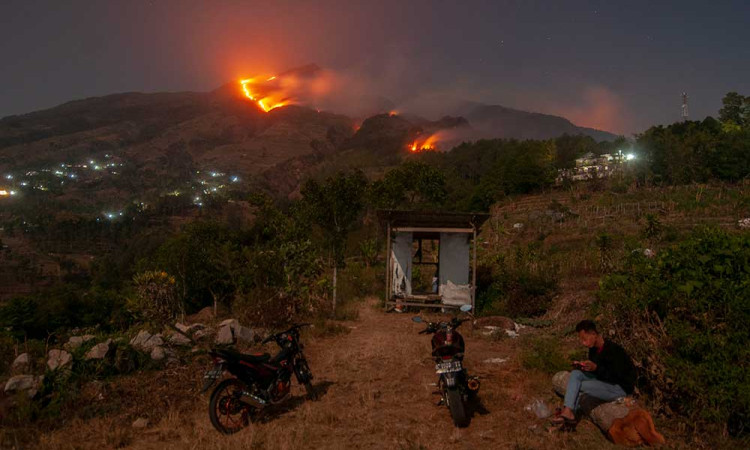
[{"x": 618, "y": 66}]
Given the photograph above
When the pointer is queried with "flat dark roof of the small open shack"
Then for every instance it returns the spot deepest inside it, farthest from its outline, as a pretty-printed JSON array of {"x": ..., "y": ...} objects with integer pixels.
[{"x": 431, "y": 219}]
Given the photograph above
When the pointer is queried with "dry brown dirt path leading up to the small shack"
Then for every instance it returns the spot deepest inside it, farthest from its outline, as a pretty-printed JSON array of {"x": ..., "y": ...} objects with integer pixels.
[{"x": 377, "y": 386}]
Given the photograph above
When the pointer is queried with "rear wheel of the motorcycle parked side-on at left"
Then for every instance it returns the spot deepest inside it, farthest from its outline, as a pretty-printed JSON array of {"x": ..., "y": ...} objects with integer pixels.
[{"x": 227, "y": 412}]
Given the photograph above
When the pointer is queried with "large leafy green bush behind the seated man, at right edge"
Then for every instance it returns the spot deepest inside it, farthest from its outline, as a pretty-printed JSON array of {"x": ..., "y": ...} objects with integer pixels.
[{"x": 683, "y": 316}]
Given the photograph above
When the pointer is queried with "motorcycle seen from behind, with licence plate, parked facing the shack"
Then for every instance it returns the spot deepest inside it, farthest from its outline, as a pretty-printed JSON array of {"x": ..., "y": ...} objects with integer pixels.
[{"x": 455, "y": 385}]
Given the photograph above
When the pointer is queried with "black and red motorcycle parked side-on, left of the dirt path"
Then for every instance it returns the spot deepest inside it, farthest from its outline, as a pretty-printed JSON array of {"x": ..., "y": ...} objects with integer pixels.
[{"x": 256, "y": 382}]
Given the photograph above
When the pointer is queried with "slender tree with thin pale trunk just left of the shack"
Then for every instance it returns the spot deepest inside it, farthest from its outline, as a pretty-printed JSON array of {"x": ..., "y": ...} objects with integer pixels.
[{"x": 334, "y": 205}]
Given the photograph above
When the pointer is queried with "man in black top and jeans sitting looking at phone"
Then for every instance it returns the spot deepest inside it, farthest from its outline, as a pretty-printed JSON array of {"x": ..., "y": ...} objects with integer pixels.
[{"x": 608, "y": 374}]
